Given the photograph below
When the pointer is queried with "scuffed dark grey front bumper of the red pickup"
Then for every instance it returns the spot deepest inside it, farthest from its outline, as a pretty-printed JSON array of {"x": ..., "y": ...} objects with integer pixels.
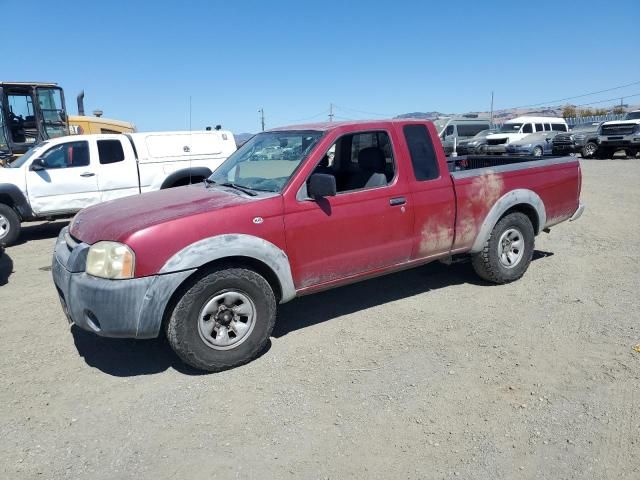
[{"x": 111, "y": 308}]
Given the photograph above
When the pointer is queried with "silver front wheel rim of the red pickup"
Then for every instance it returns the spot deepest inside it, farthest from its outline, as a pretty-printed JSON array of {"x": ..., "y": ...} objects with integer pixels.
[{"x": 226, "y": 320}]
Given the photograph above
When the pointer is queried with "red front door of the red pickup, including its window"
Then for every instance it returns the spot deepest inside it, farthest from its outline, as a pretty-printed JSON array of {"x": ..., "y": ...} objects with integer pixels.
[{"x": 368, "y": 225}]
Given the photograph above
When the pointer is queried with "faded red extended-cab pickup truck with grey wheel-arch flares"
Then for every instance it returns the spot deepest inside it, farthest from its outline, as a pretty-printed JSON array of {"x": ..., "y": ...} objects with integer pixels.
[{"x": 297, "y": 210}]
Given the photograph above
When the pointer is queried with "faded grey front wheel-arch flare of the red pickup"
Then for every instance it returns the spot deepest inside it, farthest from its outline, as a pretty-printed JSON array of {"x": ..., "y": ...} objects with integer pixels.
[{"x": 235, "y": 245}]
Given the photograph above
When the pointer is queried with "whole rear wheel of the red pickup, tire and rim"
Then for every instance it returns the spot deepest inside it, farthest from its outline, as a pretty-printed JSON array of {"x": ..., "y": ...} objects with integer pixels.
[{"x": 507, "y": 253}]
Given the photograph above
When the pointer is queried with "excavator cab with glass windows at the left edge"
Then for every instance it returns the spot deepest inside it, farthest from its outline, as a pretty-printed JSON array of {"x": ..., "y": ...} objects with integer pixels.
[{"x": 30, "y": 113}]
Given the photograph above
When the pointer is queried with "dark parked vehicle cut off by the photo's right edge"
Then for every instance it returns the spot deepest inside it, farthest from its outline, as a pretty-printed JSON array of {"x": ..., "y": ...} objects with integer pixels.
[{"x": 620, "y": 135}]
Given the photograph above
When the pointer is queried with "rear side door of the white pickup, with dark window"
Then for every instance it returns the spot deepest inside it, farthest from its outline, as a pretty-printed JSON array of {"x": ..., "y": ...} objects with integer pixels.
[{"x": 117, "y": 168}]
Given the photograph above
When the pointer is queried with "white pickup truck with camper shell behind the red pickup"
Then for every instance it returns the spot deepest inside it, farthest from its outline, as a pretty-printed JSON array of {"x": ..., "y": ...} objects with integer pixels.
[{"x": 59, "y": 177}]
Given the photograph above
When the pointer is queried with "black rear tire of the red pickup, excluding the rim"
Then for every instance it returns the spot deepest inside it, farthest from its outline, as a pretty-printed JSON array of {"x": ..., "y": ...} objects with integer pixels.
[{"x": 488, "y": 264}]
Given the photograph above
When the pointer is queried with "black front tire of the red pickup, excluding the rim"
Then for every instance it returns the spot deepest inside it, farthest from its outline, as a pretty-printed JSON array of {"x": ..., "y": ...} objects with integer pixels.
[{"x": 183, "y": 328}]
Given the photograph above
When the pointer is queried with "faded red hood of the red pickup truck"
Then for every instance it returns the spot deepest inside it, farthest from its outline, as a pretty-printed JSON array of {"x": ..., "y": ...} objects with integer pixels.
[{"x": 118, "y": 219}]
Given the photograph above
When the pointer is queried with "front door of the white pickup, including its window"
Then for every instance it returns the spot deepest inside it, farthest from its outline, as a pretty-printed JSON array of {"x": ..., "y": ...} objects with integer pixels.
[{"x": 68, "y": 181}]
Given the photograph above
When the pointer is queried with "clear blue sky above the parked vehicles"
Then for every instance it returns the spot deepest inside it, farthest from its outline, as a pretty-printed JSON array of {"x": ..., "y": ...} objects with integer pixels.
[{"x": 141, "y": 61}]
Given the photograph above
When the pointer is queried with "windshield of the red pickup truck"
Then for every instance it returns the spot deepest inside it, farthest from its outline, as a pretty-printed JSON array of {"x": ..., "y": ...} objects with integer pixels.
[{"x": 267, "y": 160}]
